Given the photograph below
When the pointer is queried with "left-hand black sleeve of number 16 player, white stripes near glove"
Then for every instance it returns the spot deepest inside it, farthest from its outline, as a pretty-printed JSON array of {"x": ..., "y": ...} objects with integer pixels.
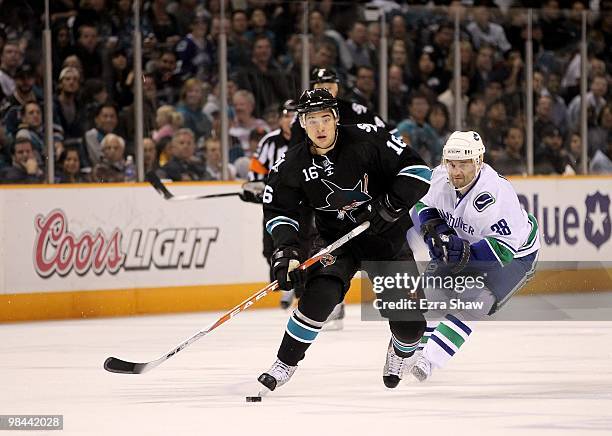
[{"x": 281, "y": 200}]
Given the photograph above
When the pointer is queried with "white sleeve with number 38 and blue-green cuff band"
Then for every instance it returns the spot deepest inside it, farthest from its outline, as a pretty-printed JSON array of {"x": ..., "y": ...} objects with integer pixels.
[{"x": 503, "y": 224}]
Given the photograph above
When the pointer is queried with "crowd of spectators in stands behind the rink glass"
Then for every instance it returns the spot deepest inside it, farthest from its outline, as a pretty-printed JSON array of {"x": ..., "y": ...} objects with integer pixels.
[{"x": 93, "y": 81}]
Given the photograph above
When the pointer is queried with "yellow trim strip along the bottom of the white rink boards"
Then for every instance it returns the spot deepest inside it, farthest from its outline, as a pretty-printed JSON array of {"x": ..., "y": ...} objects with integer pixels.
[{"x": 128, "y": 302}]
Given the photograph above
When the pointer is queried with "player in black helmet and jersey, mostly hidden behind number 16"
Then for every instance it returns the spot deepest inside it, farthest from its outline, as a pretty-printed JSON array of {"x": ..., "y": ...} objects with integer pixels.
[{"x": 349, "y": 112}]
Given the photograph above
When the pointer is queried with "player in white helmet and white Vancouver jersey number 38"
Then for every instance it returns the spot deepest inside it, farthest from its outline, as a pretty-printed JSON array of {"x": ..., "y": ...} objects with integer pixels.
[{"x": 473, "y": 223}]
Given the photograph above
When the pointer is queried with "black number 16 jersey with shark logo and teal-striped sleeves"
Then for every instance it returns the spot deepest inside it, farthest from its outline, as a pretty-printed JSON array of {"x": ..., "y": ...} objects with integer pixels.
[{"x": 365, "y": 163}]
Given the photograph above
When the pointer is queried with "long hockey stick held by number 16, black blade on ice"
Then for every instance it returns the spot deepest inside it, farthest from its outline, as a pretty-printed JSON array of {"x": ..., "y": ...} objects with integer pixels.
[{"x": 113, "y": 364}]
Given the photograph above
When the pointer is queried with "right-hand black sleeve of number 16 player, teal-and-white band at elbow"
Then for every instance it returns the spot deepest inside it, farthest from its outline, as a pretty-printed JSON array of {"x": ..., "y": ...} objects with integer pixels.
[{"x": 408, "y": 175}]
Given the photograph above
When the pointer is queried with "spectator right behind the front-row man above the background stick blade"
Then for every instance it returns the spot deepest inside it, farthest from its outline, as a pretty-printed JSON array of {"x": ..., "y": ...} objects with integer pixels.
[{"x": 191, "y": 105}]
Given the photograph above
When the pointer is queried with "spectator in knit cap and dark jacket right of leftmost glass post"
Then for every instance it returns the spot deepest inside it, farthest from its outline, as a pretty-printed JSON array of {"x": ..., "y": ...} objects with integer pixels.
[{"x": 67, "y": 109}]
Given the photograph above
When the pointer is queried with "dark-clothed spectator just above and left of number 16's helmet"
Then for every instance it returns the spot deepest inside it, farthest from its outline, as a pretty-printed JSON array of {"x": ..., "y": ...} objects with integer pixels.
[{"x": 262, "y": 77}]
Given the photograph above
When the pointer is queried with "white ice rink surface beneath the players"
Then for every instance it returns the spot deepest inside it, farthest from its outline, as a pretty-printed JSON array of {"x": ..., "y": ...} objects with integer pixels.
[{"x": 522, "y": 377}]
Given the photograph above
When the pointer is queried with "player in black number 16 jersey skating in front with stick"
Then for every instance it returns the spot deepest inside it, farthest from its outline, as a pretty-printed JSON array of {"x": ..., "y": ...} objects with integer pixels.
[{"x": 346, "y": 174}]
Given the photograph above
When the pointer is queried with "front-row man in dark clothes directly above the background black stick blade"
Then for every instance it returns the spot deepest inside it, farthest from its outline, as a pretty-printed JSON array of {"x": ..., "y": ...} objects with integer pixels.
[{"x": 183, "y": 165}]
